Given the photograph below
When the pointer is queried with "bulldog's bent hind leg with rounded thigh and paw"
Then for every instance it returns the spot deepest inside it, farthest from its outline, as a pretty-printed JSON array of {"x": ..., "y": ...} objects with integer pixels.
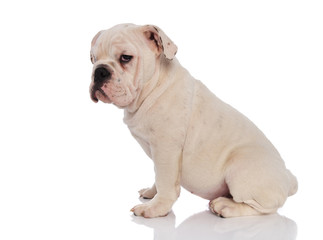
[{"x": 257, "y": 187}]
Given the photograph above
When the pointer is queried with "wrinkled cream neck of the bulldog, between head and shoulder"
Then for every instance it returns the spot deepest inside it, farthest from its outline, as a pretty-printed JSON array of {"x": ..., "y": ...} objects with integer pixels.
[{"x": 163, "y": 77}]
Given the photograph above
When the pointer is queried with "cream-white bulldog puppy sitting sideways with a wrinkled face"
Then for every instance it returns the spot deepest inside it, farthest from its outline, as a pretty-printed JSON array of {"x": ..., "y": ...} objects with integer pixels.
[{"x": 194, "y": 139}]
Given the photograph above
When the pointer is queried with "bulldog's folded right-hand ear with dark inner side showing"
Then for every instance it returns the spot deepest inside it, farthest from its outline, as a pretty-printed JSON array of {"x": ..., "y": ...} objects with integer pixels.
[{"x": 159, "y": 41}]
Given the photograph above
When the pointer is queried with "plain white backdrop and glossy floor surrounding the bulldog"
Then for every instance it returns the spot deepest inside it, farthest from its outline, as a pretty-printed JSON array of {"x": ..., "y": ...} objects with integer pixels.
[{"x": 69, "y": 168}]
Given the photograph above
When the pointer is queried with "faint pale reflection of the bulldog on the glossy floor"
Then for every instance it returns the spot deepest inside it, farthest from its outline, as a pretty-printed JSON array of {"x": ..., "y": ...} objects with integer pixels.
[{"x": 205, "y": 225}]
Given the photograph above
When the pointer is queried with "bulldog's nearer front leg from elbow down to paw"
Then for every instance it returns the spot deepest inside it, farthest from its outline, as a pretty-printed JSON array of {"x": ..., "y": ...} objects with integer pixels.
[{"x": 167, "y": 182}]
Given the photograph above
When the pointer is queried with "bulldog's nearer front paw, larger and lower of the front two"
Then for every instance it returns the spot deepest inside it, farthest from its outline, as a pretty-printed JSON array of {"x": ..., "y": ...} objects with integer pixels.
[{"x": 152, "y": 209}]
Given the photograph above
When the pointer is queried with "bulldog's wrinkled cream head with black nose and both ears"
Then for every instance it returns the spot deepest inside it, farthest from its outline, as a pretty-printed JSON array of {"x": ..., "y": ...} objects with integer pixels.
[{"x": 124, "y": 58}]
